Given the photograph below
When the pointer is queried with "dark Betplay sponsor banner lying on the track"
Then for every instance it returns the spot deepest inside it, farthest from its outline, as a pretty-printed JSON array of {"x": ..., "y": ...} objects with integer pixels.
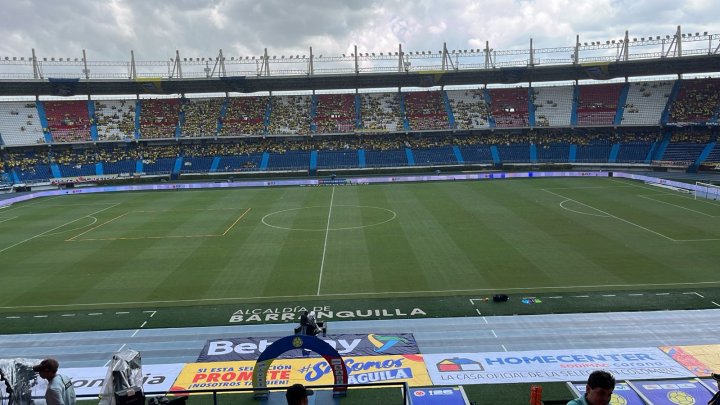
[{"x": 250, "y": 348}]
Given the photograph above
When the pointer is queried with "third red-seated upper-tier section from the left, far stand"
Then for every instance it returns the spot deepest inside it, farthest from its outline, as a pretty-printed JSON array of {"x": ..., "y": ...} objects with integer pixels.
[{"x": 244, "y": 116}]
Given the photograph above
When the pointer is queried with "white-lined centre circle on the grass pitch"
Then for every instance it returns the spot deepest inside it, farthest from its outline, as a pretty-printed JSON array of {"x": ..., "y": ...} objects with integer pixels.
[{"x": 315, "y": 218}]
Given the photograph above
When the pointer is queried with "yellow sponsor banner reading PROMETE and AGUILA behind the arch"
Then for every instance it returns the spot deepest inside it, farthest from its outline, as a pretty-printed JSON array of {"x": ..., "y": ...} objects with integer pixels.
[{"x": 310, "y": 371}]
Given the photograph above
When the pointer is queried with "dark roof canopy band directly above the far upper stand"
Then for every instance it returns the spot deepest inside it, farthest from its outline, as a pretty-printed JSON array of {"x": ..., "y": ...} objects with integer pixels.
[{"x": 696, "y": 64}]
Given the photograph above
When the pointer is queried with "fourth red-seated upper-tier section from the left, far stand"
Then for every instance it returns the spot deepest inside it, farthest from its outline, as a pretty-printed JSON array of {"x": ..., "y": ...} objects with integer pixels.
[{"x": 335, "y": 113}]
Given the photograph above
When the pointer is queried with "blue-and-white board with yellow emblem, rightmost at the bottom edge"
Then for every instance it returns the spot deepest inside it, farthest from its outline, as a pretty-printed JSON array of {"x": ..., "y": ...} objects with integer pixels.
[{"x": 673, "y": 392}]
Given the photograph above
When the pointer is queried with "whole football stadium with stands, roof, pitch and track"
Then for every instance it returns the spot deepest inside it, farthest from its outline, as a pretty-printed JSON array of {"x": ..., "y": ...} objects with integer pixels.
[{"x": 467, "y": 223}]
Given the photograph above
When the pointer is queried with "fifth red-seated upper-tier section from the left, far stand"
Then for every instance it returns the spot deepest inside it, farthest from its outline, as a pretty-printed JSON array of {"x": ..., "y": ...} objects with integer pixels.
[{"x": 426, "y": 110}]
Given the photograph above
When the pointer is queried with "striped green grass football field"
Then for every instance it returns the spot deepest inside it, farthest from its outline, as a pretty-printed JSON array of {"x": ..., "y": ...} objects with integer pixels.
[{"x": 212, "y": 250}]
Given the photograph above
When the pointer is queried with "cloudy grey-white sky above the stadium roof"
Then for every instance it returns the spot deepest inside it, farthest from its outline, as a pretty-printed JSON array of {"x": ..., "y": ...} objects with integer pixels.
[{"x": 154, "y": 29}]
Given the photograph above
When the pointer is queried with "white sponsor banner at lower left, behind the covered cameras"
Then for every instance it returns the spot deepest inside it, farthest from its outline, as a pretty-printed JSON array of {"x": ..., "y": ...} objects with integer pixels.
[{"x": 89, "y": 380}]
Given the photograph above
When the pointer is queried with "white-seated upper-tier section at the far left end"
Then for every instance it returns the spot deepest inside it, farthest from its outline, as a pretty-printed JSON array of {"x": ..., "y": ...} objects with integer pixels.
[{"x": 20, "y": 124}]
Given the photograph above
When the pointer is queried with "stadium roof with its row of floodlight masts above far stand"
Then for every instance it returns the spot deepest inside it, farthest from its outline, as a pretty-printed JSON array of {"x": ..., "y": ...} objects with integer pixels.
[{"x": 677, "y": 54}]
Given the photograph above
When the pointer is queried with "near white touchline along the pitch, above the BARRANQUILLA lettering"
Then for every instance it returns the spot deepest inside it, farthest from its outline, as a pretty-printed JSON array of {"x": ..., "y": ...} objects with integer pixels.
[{"x": 365, "y": 294}]
